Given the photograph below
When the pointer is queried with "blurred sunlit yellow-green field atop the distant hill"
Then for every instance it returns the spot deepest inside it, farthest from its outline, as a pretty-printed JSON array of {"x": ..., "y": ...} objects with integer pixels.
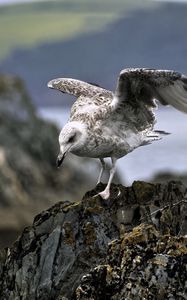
[{"x": 28, "y": 25}]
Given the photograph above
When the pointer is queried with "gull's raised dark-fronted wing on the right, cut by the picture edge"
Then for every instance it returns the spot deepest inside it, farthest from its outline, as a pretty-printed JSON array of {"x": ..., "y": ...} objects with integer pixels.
[{"x": 138, "y": 88}]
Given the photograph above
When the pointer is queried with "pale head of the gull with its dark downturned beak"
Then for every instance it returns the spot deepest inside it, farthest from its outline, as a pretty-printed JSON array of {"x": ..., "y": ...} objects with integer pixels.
[{"x": 72, "y": 138}]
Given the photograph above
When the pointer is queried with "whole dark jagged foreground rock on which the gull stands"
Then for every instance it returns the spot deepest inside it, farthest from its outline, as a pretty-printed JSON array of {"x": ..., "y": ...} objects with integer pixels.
[{"x": 131, "y": 246}]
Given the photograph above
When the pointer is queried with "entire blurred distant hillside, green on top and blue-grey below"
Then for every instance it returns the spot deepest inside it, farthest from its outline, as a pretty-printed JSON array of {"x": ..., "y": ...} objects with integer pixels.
[{"x": 89, "y": 40}]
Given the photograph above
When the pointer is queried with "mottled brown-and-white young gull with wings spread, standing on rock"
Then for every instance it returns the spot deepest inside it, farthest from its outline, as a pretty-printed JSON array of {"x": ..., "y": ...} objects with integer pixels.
[{"x": 105, "y": 124}]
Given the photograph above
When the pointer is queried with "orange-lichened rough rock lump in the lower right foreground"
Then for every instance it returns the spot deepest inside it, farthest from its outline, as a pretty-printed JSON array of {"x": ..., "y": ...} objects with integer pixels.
[{"x": 142, "y": 265}]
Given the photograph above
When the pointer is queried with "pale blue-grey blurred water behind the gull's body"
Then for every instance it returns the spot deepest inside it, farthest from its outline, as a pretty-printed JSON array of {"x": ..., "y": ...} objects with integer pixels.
[{"x": 169, "y": 154}]
